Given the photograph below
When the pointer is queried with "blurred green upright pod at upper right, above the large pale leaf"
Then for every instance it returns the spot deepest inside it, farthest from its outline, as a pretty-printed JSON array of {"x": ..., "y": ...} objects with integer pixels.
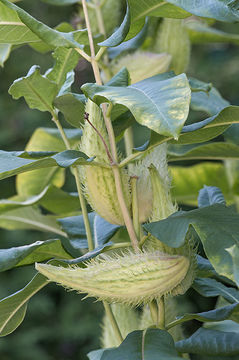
[{"x": 174, "y": 40}]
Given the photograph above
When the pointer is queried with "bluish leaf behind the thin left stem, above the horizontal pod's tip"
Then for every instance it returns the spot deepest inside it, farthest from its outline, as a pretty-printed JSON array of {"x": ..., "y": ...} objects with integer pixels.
[{"x": 101, "y": 230}]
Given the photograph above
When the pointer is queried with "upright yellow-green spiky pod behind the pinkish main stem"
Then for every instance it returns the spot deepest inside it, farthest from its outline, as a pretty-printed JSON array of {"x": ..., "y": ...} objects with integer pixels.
[{"x": 98, "y": 182}]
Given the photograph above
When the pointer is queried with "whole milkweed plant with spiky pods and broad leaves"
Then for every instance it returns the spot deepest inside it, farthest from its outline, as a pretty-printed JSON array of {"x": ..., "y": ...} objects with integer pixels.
[{"x": 136, "y": 249}]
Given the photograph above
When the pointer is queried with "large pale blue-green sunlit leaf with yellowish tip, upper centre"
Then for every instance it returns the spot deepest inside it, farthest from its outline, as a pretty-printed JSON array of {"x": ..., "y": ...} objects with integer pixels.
[{"x": 161, "y": 102}]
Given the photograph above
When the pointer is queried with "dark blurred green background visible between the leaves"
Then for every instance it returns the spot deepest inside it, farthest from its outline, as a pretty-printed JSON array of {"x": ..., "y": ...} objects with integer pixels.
[{"x": 58, "y": 325}]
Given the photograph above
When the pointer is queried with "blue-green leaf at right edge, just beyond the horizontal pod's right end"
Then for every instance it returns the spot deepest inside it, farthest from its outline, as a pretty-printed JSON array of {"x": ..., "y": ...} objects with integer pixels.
[{"x": 210, "y": 288}]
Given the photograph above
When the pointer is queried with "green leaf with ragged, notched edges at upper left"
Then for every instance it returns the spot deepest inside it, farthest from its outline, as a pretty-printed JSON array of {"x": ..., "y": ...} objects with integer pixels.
[{"x": 38, "y": 91}]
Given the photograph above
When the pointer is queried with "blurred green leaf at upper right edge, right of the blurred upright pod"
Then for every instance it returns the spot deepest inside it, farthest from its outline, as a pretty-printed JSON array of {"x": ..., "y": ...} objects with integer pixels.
[{"x": 200, "y": 32}]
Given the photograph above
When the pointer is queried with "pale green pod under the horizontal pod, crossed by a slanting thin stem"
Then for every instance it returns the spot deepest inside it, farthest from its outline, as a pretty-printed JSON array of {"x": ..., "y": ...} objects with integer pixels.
[{"x": 127, "y": 319}]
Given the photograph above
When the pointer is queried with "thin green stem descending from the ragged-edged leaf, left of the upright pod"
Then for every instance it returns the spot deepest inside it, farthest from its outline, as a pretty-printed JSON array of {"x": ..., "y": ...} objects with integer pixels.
[{"x": 78, "y": 185}]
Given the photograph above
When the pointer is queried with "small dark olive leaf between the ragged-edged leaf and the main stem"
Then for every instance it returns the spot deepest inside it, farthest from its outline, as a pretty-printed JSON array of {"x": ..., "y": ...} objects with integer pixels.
[{"x": 73, "y": 107}]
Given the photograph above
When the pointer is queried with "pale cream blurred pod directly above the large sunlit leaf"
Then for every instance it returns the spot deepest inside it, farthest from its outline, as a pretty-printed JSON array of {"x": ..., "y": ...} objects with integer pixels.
[{"x": 142, "y": 64}]
